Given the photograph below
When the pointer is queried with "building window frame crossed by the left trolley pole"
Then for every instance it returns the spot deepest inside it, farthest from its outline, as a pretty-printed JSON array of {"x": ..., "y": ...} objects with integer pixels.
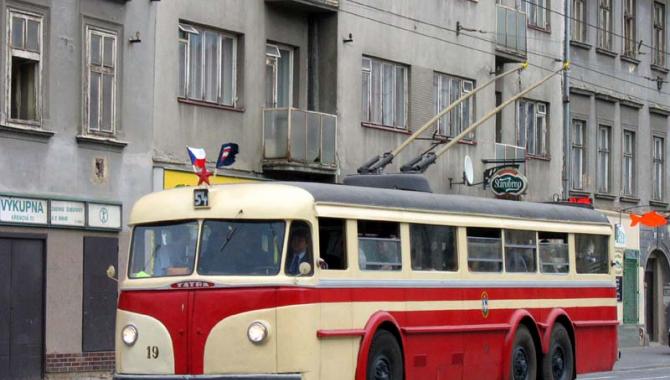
[{"x": 455, "y": 118}]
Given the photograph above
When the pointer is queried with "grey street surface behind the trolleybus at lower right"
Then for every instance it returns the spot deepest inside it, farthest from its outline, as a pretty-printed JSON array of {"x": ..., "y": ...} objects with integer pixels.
[{"x": 639, "y": 363}]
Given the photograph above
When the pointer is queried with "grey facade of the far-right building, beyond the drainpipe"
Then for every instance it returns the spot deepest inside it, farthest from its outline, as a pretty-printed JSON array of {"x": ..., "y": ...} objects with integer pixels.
[{"x": 618, "y": 140}]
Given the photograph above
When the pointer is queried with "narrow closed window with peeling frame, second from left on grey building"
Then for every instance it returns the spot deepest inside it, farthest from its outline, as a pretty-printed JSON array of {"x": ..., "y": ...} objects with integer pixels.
[{"x": 101, "y": 80}]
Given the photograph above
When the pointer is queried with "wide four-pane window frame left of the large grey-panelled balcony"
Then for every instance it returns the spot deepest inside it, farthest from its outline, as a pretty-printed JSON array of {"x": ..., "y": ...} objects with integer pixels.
[{"x": 189, "y": 29}]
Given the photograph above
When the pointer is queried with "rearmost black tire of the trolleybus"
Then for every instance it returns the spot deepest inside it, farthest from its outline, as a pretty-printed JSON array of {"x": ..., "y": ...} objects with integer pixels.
[{"x": 559, "y": 362}]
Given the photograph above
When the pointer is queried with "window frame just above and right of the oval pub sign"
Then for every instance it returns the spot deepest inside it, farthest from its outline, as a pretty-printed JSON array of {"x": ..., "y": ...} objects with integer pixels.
[{"x": 543, "y": 131}]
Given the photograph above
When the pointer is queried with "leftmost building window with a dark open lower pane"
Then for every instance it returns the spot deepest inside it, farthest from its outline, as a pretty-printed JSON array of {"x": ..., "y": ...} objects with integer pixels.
[{"x": 24, "y": 67}]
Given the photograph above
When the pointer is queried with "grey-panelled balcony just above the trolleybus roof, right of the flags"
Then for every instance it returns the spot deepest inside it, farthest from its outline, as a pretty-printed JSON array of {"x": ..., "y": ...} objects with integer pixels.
[{"x": 299, "y": 141}]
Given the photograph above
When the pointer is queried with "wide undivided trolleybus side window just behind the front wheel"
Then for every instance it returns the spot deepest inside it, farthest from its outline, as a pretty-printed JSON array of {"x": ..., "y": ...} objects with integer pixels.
[{"x": 433, "y": 247}]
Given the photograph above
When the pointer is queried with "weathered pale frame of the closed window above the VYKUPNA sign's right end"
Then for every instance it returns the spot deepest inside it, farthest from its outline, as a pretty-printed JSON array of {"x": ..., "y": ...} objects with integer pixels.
[{"x": 102, "y": 70}]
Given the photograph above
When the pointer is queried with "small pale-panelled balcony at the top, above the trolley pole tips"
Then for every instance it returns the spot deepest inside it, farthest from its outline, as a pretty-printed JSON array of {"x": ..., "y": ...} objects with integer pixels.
[{"x": 510, "y": 34}]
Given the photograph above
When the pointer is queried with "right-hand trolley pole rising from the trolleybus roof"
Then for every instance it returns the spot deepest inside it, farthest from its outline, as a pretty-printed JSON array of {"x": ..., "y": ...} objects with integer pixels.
[{"x": 421, "y": 164}]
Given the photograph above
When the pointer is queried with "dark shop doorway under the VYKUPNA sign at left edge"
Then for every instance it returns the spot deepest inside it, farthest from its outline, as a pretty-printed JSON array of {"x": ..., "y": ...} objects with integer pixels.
[{"x": 21, "y": 308}]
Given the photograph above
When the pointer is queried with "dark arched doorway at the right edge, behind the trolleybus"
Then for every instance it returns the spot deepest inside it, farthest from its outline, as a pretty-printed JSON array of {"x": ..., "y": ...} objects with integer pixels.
[{"x": 657, "y": 297}]
